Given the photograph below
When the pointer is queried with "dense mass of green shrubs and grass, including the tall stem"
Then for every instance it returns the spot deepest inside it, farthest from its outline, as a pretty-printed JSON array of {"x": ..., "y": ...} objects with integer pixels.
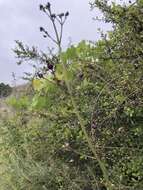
[{"x": 81, "y": 126}]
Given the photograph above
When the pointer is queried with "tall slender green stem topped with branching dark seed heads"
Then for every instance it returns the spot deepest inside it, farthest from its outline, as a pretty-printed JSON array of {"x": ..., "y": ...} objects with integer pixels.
[{"x": 60, "y": 19}]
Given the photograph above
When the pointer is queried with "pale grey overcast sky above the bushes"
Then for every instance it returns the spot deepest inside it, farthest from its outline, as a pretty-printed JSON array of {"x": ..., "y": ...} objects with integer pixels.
[{"x": 20, "y": 20}]
